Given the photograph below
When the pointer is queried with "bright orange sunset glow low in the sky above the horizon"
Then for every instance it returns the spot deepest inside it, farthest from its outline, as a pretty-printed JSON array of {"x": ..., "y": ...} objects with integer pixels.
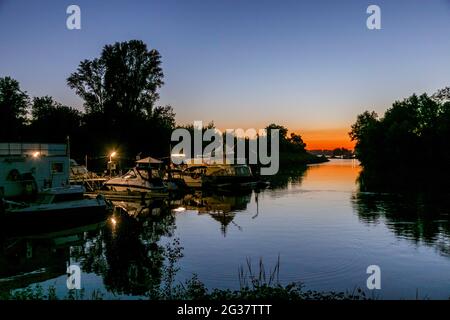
[{"x": 327, "y": 139}]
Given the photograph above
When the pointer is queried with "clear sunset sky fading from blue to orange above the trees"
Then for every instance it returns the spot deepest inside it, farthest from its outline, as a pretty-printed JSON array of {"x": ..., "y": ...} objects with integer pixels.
[{"x": 312, "y": 67}]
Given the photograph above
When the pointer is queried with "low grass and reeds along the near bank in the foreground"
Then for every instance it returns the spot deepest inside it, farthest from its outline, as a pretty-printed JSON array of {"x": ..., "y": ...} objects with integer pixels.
[{"x": 260, "y": 285}]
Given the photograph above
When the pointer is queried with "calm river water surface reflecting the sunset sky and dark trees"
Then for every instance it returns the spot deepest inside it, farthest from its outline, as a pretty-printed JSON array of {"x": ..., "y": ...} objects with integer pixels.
[{"x": 324, "y": 231}]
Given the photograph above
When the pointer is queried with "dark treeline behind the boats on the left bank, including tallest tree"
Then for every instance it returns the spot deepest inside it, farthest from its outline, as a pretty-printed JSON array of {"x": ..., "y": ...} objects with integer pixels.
[{"x": 120, "y": 112}]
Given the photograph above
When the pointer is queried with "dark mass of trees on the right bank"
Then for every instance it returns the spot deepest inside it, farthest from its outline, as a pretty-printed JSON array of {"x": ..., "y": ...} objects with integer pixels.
[{"x": 408, "y": 148}]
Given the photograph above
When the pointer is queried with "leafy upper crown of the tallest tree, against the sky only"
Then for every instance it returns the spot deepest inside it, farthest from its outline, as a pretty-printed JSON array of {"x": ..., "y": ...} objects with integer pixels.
[{"x": 124, "y": 79}]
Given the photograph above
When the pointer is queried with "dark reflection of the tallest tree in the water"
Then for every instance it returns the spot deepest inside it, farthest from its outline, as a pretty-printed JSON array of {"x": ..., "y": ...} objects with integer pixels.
[{"x": 127, "y": 253}]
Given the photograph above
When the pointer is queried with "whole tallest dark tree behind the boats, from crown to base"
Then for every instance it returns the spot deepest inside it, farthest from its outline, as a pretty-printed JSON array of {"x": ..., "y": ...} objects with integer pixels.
[{"x": 120, "y": 92}]
